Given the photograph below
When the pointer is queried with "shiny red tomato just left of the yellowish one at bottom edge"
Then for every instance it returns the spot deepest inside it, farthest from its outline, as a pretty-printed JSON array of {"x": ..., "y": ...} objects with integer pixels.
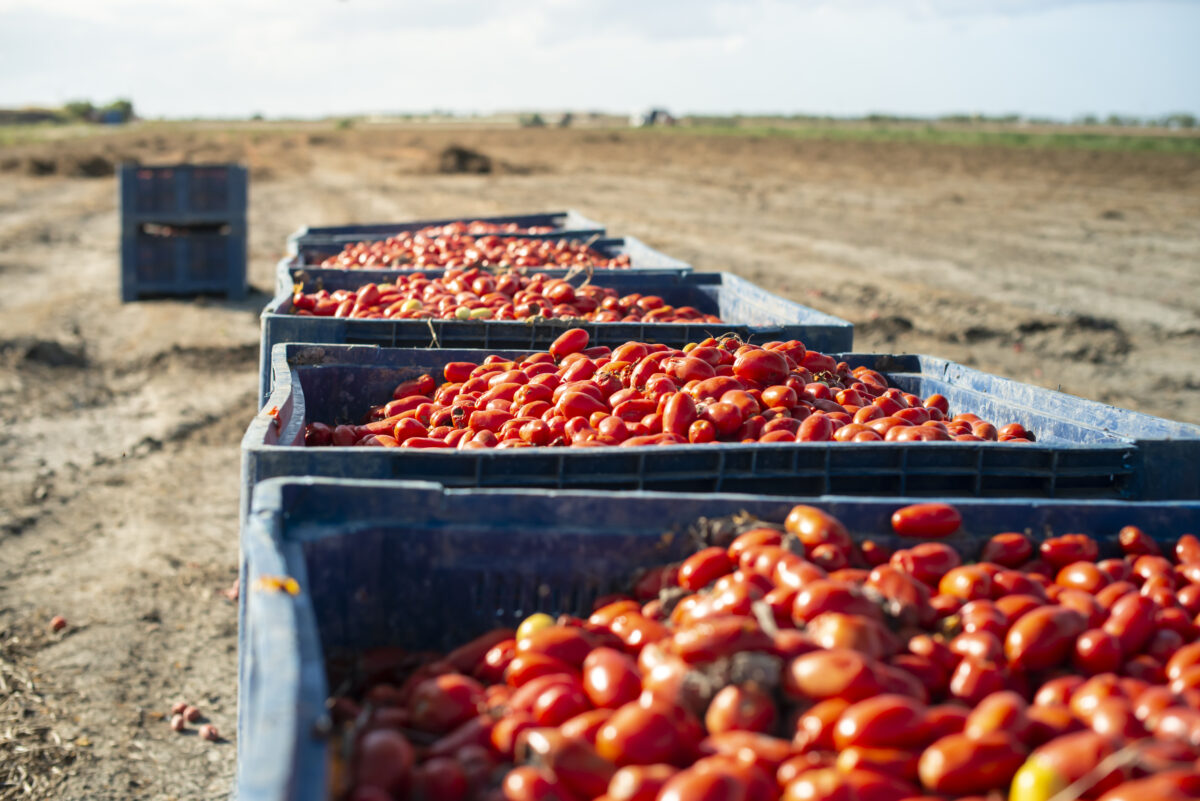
[{"x": 958, "y": 764}]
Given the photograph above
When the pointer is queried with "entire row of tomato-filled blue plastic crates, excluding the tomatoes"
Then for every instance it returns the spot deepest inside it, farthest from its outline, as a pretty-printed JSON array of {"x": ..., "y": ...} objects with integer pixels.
[{"x": 428, "y": 549}]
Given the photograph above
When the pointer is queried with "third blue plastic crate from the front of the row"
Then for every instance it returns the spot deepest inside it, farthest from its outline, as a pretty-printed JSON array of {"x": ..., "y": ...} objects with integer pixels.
[{"x": 749, "y": 312}]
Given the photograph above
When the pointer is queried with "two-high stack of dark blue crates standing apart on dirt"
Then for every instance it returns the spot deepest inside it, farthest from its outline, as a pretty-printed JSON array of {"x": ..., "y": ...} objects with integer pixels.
[{"x": 183, "y": 231}]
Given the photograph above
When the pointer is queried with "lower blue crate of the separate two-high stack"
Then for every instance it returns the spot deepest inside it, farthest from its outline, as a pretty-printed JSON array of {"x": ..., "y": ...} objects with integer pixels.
[{"x": 184, "y": 261}]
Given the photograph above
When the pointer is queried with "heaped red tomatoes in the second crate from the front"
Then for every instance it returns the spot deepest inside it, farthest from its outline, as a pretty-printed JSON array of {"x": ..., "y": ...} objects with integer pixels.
[{"x": 713, "y": 392}]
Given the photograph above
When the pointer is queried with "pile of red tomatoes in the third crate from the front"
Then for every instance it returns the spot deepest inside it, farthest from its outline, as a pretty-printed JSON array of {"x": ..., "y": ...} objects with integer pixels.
[{"x": 475, "y": 294}]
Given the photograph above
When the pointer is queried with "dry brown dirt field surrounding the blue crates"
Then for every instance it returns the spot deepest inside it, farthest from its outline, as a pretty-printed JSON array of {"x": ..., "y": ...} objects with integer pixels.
[{"x": 119, "y": 449}]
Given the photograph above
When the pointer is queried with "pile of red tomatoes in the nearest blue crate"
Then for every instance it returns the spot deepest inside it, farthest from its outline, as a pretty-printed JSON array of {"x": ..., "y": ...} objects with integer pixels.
[{"x": 790, "y": 663}]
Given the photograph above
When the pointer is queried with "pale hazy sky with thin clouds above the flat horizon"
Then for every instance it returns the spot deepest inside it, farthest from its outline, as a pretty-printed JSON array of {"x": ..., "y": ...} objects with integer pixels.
[{"x": 212, "y": 58}]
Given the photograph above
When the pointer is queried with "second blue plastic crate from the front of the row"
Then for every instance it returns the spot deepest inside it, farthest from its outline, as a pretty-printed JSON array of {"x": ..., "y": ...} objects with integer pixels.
[{"x": 1084, "y": 449}]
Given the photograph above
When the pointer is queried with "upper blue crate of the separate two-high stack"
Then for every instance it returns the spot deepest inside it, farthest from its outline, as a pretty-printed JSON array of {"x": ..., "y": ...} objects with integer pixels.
[{"x": 183, "y": 194}]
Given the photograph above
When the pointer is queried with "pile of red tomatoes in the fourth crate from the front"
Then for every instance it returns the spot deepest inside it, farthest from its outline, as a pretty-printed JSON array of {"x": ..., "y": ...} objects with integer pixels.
[{"x": 460, "y": 250}]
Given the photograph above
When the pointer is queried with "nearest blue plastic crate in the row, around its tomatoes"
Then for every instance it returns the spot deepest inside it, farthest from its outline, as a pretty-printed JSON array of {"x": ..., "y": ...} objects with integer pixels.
[{"x": 413, "y": 565}]
